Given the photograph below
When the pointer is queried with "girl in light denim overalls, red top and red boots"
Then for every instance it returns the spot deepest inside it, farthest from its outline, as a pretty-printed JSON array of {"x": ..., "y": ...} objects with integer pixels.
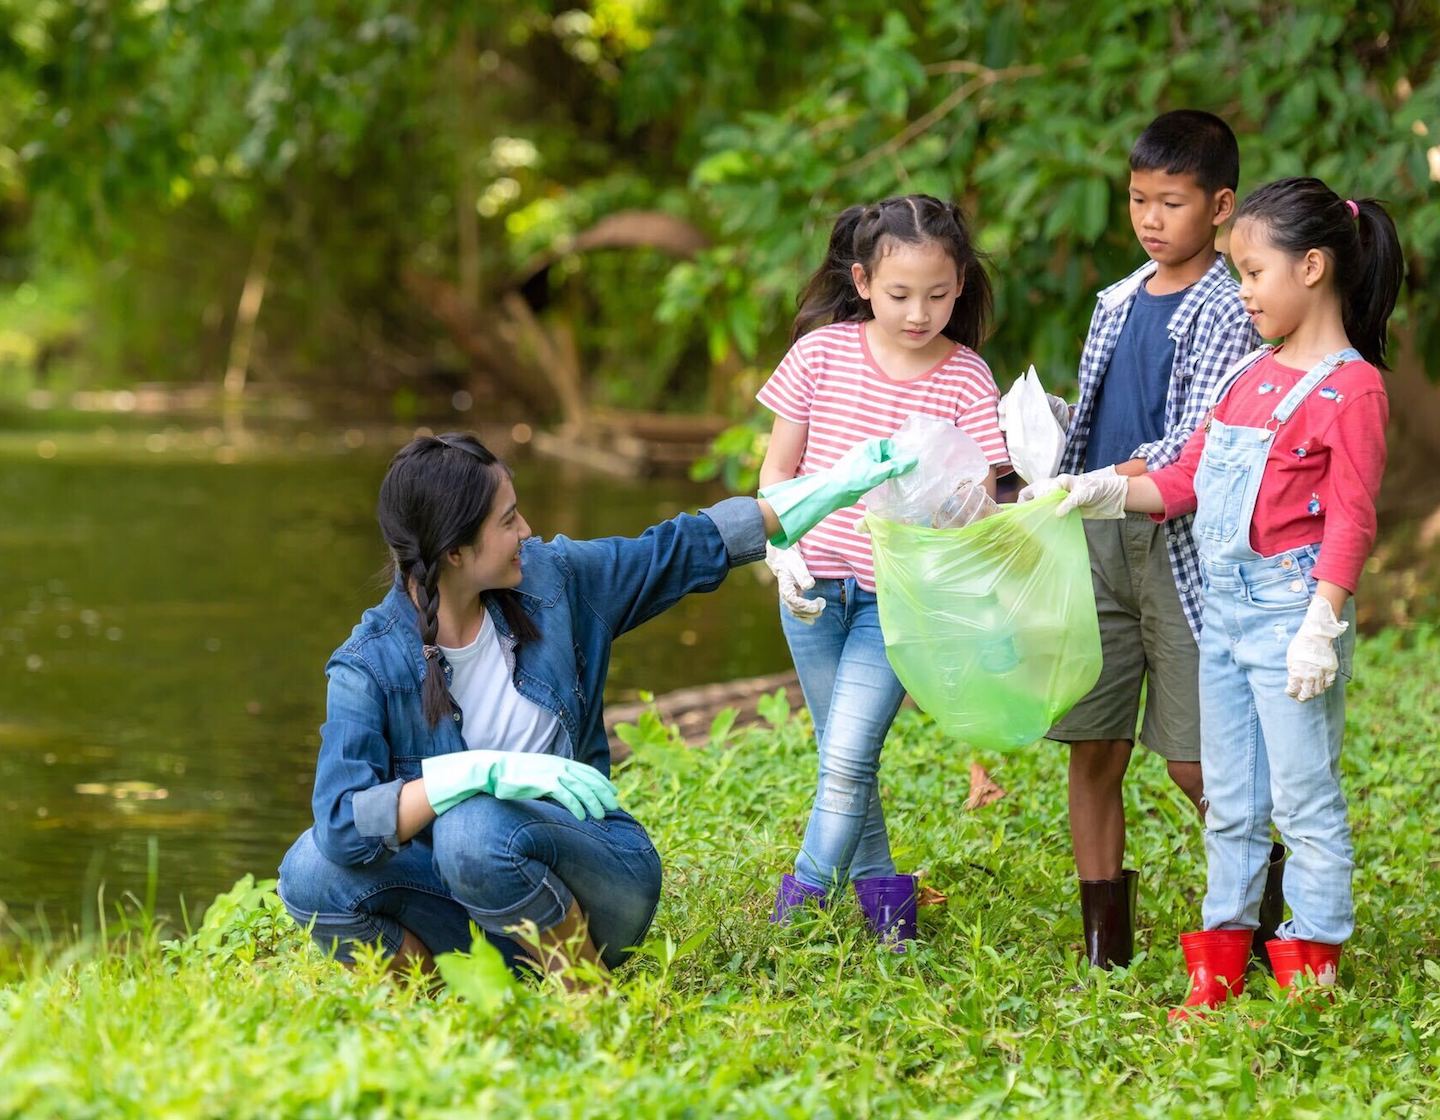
[{"x": 1284, "y": 482}]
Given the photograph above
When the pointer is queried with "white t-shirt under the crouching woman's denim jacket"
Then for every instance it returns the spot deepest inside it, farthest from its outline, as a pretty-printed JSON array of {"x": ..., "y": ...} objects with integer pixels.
[{"x": 498, "y": 718}]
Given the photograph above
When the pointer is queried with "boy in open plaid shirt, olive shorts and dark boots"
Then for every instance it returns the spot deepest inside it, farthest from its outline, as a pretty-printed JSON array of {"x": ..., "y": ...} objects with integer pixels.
[{"x": 1160, "y": 346}]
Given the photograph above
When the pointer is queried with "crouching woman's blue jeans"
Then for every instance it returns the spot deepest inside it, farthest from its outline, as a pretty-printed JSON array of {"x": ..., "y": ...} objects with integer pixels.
[{"x": 490, "y": 862}]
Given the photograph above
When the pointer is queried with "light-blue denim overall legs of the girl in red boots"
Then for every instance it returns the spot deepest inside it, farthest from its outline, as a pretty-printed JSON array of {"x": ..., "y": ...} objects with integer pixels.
[{"x": 1269, "y": 758}]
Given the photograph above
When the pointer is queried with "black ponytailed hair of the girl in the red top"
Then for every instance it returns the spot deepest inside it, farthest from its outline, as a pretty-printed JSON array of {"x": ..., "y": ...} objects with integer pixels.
[{"x": 1357, "y": 237}]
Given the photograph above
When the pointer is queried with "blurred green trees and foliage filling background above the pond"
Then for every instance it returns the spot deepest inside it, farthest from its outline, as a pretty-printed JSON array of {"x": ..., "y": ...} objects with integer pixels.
[{"x": 552, "y": 209}]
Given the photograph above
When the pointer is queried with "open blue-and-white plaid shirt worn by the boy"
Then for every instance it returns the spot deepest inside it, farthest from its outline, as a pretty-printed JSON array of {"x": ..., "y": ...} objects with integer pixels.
[{"x": 1212, "y": 335}]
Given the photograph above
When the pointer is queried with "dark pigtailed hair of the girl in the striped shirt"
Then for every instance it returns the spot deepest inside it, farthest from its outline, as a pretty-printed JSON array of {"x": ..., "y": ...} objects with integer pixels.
[{"x": 863, "y": 234}]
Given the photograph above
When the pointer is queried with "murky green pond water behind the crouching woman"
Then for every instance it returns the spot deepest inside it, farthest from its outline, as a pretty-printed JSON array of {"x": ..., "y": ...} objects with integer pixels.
[{"x": 166, "y": 614}]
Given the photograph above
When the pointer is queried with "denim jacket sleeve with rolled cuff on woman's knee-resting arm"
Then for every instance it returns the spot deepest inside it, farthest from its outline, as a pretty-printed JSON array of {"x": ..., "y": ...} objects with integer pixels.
[{"x": 356, "y": 803}]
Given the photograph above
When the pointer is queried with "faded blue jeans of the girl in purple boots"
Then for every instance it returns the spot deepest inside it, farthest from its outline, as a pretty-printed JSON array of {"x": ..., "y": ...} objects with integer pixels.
[{"x": 853, "y": 697}]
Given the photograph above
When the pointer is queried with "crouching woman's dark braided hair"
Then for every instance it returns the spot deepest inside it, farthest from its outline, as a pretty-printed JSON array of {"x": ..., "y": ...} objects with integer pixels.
[{"x": 434, "y": 499}]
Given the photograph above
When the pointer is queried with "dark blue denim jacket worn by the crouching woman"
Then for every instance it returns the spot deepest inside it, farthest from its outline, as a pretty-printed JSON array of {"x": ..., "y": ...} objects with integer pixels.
[{"x": 582, "y": 595}]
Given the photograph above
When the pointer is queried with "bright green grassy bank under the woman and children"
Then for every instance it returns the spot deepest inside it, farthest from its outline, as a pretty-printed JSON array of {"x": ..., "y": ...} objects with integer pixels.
[{"x": 725, "y": 1016}]
